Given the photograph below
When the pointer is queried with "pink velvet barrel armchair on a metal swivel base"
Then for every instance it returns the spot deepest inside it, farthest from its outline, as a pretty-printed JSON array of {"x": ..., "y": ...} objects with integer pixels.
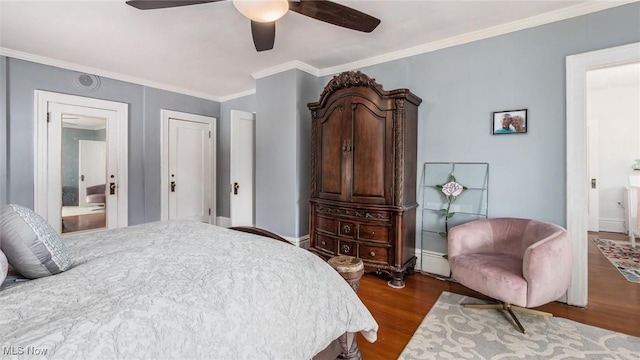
[{"x": 522, "y": 263}]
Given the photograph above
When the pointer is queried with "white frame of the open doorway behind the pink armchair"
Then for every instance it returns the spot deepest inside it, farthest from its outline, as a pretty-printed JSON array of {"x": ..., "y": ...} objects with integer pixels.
[{"x": 576, "y": 152}]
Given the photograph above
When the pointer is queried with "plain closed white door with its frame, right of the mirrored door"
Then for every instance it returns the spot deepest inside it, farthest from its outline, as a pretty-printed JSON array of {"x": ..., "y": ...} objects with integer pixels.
[{"x": 188, "y": 181}]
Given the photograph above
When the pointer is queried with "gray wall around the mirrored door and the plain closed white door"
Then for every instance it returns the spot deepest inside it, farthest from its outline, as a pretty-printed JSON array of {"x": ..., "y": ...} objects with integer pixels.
[{"x": 23, "y": 77}]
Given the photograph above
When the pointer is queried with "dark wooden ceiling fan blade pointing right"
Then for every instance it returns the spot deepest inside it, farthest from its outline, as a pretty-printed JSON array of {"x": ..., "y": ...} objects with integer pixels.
[{"x": 335, "y": 14}]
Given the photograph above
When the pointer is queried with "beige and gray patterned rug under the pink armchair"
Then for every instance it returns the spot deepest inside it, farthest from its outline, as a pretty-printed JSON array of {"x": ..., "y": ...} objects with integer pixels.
[{"x": 450, "y": 331}]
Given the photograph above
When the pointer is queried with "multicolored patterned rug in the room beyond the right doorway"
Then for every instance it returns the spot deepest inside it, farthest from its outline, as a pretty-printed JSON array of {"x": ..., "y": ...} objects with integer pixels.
[{"x": 624, "y": 257}]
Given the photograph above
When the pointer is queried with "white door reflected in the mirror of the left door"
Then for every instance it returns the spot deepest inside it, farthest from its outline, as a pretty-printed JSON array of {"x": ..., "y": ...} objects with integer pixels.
[{"x": 92, "y": 158}]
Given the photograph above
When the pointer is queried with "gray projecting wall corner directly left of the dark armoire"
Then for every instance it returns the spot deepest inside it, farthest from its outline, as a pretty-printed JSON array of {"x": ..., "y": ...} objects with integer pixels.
[{"x": 283, "y": 133}]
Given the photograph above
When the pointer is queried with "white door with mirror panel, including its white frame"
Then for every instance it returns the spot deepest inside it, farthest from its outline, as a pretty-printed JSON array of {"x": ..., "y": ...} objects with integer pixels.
[{"x": 57, "y": 110}]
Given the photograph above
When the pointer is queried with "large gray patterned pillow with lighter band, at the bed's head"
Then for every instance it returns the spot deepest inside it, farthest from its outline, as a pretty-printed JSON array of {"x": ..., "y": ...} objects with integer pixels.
[{"x": 30, "y": 244}]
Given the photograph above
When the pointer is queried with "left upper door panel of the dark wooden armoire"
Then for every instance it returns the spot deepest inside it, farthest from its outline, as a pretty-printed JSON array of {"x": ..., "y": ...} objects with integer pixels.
[{"x": 330, "y": 160}]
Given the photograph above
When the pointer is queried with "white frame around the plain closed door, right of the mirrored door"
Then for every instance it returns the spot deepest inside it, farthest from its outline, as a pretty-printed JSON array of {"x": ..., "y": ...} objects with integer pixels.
[{"x": 166, "y": 116}]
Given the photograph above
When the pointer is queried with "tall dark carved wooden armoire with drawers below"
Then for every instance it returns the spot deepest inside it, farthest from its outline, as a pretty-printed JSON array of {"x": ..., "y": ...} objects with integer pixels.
[{"x": 363, "y": 174}]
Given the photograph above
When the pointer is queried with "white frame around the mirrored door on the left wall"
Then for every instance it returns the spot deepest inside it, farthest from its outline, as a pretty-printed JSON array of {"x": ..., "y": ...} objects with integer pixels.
[{"x": 41, "y": 145}]
